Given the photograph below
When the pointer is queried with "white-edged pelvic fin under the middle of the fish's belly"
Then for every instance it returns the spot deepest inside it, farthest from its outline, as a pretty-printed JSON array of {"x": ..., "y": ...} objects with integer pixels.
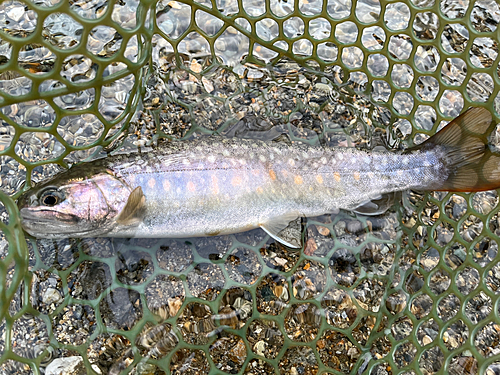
[{"x": 285, "y": 229}]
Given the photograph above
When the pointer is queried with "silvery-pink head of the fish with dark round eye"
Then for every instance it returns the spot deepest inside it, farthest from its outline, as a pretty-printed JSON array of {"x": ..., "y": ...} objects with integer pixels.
[{"x": 72, "y": 206}]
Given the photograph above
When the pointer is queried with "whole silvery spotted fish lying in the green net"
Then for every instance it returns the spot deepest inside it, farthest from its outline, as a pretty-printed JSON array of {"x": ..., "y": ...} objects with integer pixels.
[{"x": 214, "y": 185}]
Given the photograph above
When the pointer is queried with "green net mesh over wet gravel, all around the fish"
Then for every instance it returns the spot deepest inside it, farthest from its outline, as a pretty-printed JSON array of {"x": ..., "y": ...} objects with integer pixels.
[{"x": 414, "y": 291}]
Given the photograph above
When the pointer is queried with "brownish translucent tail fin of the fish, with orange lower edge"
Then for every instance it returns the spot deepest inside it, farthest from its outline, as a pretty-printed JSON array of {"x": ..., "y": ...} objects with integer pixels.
[{"x": 472, "y": 165}]
